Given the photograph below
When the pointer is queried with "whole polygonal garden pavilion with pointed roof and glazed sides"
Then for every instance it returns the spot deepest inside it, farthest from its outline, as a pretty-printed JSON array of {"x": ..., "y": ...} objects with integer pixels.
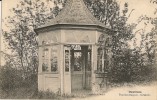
[{"x": 74, "y": 51}]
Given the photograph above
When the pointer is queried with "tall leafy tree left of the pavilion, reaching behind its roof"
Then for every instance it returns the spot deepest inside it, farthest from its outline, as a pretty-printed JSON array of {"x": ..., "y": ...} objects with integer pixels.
[{"x": 21, "y": 38}]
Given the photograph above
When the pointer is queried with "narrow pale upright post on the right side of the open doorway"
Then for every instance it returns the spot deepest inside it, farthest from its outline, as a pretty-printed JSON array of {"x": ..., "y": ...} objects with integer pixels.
[{"x": 94, "y": 66}]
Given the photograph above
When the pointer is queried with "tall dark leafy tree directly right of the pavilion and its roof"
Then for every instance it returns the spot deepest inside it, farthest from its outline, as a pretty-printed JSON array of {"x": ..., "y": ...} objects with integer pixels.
[{"x": 108, "y": 12}]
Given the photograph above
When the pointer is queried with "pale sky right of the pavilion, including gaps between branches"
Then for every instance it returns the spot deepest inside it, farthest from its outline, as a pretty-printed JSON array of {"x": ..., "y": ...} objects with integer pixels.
[{"x": 141, "y": 7}]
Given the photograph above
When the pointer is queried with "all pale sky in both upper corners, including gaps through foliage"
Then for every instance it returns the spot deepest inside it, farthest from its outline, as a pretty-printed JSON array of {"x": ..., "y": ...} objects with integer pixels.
[{"x": 141, "y": 7}]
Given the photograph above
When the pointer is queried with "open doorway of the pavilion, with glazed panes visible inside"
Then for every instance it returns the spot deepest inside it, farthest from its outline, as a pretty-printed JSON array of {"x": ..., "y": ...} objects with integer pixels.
[{"x": 80, "y": 67}]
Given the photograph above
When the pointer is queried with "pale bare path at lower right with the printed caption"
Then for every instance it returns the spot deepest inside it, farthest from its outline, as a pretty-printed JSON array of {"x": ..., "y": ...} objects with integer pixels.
[{"x": 127, "y": 93}]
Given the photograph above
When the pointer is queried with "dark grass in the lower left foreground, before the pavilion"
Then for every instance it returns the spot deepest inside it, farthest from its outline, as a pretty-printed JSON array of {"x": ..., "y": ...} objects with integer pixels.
[{"x": 33, "y": 93}]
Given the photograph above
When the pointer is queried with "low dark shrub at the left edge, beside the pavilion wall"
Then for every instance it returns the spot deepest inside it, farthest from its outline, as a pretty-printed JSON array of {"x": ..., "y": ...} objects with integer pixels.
[{"x": 12, "y": 78}]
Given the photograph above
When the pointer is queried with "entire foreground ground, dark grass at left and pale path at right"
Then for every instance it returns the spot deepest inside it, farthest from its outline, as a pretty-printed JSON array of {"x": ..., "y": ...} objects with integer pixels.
[{"x": 120, "y": 92}]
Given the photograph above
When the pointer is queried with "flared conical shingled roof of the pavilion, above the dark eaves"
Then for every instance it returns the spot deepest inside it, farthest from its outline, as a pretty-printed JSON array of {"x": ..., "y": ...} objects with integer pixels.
[{"x": 75, "y": 12}]
